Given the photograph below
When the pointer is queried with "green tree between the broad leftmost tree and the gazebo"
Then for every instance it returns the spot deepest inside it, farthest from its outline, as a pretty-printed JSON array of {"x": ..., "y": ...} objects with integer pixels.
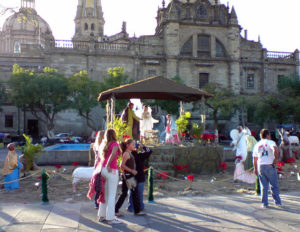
[{"x": 83, "y": 96}]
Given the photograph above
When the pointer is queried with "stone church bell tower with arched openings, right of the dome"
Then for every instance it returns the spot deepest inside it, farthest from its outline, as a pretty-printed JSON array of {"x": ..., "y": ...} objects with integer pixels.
[{"x": 89, "y": 20}]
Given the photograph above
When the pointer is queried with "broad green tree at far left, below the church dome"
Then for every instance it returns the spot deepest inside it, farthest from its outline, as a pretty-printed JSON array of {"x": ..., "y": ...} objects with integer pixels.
[{"x": 44, "y": 94}]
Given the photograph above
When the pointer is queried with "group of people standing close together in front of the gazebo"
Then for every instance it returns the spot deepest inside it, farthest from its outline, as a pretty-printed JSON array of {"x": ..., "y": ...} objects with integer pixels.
[{"x": 106, "y": 176}]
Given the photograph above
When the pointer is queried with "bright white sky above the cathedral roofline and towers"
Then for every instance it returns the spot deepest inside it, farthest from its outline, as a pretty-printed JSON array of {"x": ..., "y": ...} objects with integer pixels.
[{"x": 276, "y": 21}]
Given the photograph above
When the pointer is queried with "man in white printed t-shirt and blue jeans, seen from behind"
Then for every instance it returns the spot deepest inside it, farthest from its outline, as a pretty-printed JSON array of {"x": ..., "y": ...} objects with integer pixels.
[{"x": 265, "y": 156}]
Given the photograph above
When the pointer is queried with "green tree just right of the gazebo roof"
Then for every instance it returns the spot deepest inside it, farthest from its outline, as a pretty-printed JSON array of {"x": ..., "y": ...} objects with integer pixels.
[{"x": 222, "y": 105}]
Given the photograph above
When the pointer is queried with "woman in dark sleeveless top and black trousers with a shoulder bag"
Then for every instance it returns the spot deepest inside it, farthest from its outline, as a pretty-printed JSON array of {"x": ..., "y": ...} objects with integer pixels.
[{"x": 128, "y": 167}]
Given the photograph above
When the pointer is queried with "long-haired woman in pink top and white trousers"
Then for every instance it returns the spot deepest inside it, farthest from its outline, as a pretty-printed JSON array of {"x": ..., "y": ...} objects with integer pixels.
[{"x": 109, "y": 152}]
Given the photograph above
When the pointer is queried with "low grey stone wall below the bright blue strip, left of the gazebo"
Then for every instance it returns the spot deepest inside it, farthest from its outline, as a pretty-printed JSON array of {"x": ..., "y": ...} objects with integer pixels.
[{"x": 63, "y": 157}]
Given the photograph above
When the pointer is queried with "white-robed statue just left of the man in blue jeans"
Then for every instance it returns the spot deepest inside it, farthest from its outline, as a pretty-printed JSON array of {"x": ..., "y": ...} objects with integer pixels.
[{"x": 240, "y": 142}]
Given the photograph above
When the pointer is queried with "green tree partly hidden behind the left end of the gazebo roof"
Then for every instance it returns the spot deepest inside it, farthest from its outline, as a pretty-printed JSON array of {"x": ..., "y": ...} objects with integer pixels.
[{"x": 116, "y": 77}]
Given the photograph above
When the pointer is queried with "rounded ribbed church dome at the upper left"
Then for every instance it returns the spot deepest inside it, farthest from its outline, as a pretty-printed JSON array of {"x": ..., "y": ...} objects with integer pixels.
[{"x": 26, "y": 20}]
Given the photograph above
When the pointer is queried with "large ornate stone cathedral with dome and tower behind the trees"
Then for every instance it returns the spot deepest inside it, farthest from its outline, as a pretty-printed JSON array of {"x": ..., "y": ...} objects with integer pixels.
[{"x": 197, "y": 40}]
